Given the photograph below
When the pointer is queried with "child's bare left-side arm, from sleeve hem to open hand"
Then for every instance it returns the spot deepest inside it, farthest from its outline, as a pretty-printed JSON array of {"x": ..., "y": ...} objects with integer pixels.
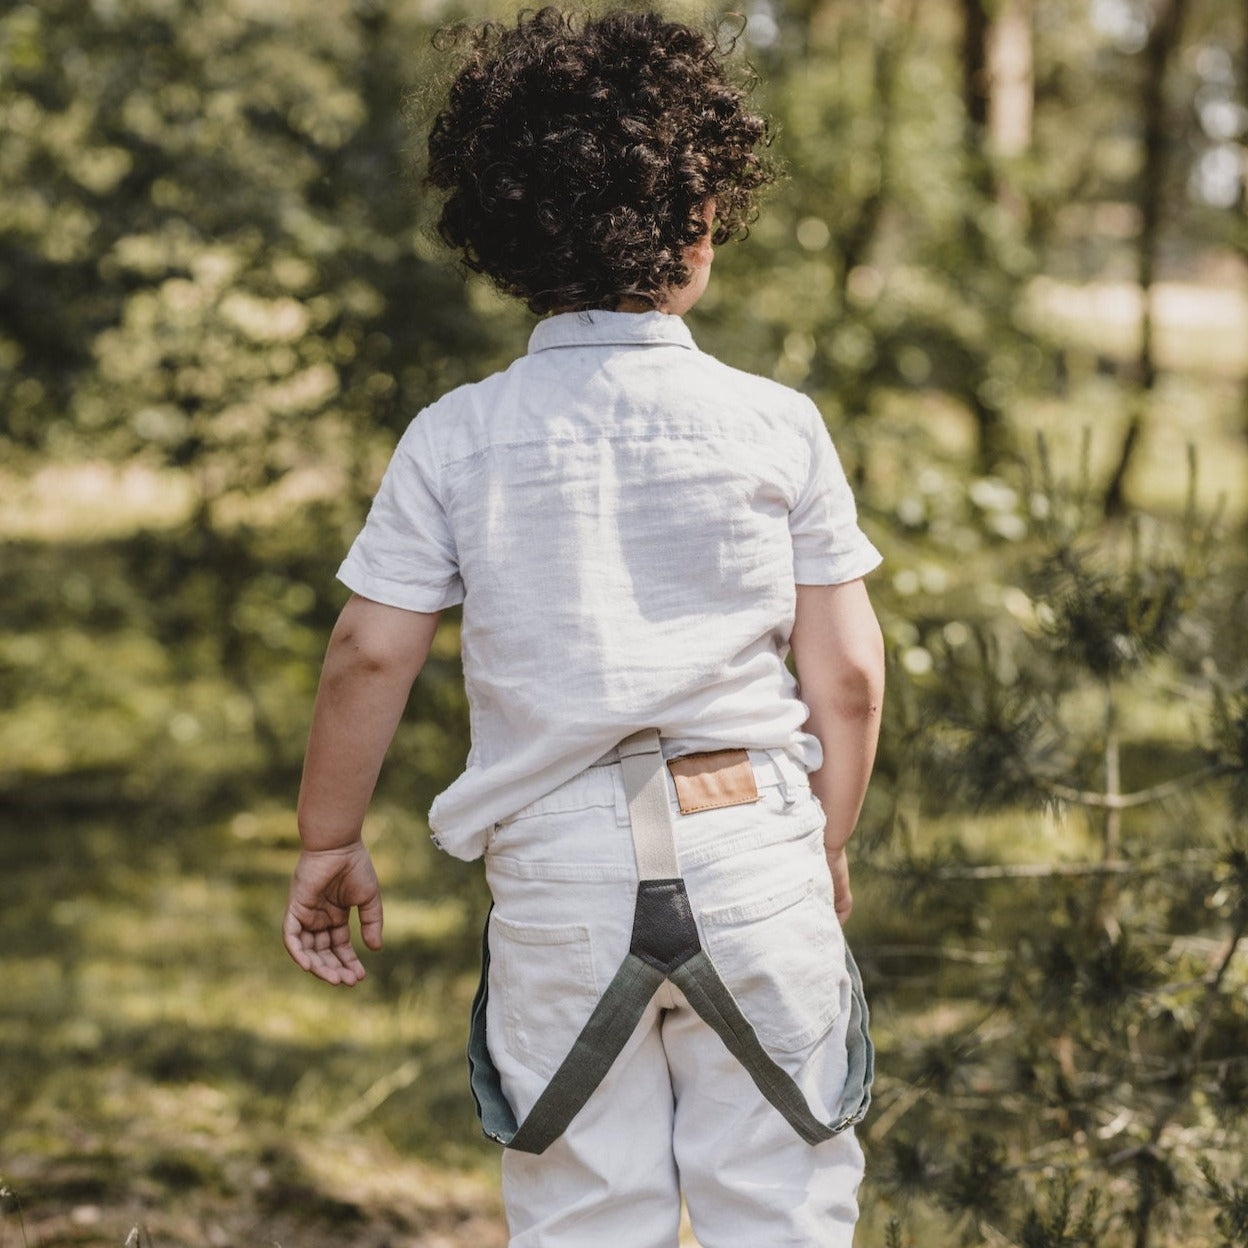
[{"x": 375, "y": 655}]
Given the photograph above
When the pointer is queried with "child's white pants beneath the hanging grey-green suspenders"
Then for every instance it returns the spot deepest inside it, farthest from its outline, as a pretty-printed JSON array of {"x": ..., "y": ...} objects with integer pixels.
[{"x": 677, "y": 1113}]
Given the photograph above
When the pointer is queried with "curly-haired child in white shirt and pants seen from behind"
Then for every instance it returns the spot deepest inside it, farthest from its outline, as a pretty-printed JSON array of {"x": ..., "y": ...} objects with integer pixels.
[{"x": 638, "y": 535}]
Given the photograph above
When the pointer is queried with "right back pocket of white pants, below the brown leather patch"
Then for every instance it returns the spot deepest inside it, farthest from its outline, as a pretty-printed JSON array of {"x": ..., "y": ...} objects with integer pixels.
[{"x": 783, "y": 959}]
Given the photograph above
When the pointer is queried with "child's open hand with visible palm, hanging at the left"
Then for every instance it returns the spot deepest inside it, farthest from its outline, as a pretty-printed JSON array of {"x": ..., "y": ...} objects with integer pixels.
[{"x": 316, "y": 930}]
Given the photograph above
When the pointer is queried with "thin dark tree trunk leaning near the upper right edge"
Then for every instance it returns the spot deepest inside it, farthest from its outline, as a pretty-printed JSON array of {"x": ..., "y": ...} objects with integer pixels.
[{"x": 1164, "y": 42}]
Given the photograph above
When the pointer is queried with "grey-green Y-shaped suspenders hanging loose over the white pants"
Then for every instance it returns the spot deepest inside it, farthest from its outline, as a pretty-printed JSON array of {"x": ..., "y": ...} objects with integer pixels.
[{"x": 665, "y": 947}]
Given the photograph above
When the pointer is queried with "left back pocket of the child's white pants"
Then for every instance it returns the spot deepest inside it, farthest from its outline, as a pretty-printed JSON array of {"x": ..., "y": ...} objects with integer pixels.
[{"x": 548, "y": 988}]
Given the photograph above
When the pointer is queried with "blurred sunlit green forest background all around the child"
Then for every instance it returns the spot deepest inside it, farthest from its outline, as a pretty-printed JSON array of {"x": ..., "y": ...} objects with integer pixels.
[{"x": 1010, "y": 263}]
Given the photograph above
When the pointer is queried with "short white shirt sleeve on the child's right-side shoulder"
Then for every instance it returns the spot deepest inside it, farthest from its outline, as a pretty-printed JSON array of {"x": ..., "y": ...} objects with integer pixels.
[{"x": 828, "y": 546}]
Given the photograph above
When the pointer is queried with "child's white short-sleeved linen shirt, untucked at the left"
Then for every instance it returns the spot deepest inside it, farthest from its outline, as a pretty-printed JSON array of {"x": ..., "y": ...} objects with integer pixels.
[{"x": 625, "y": 520}]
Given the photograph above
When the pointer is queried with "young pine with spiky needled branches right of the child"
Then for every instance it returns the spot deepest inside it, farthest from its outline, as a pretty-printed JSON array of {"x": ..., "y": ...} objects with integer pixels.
[{"x": 1118, "y": 1034}]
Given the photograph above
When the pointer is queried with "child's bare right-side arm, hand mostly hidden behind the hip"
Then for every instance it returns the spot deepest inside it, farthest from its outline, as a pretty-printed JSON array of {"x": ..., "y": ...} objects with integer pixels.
[{"x": 839, "y": 653}]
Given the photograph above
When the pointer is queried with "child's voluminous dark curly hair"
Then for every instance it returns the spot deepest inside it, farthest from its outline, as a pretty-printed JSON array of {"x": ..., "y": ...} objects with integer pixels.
[{"x": 578, "y": 154}]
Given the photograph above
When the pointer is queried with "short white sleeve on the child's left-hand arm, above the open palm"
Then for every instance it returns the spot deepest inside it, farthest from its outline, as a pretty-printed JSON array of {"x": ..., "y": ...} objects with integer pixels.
[{"x": 406, "y": 555}]
